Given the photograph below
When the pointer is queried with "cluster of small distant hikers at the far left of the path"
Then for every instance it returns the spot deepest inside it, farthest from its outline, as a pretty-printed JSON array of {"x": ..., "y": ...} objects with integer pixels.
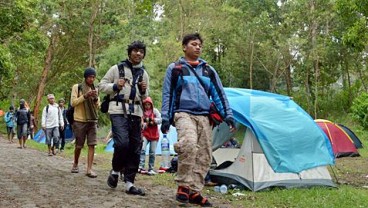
[{"x": 20, "y": 122}]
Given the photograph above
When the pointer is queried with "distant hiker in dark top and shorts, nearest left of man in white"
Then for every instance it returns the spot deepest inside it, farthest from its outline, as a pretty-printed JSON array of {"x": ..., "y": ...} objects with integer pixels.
[{"x": 23, "y": 122}]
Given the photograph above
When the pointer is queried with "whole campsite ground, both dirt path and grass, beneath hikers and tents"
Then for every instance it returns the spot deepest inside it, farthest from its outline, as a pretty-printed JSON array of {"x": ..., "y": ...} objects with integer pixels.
[{"x": 30, "y": 178}]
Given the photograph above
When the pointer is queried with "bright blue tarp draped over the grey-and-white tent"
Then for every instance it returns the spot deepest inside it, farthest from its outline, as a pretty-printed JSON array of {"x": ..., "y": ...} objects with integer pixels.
[{"x": 291, "y": 140}]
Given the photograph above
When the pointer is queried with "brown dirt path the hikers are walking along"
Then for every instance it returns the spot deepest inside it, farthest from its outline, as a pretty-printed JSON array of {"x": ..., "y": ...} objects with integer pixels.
[{"x": 30, "y": 178}]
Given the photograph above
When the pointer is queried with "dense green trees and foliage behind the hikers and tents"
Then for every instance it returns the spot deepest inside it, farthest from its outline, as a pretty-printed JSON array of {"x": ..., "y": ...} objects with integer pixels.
[{"x": 313, "y": 51}]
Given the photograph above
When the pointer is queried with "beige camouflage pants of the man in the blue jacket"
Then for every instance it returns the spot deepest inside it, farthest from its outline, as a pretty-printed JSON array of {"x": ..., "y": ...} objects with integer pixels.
[{"x": 194, "y": 148}]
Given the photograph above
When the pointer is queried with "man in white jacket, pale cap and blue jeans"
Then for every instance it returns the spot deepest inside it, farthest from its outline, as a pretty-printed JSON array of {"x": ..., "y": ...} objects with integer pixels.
[{"x": 52, "y": 120}]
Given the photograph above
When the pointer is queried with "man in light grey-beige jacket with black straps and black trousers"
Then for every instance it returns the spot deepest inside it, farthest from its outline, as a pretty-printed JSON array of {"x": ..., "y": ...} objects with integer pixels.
[{"x": 127, "y": 85}]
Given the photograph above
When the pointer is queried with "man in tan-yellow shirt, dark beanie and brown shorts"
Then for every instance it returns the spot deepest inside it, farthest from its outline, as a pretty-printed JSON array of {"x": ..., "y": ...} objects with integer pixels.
[{"x": 84, "y": 99}]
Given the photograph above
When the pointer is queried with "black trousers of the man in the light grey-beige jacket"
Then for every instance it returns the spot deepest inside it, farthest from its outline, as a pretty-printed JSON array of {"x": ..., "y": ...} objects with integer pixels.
[{"x": 127, "y": 145}]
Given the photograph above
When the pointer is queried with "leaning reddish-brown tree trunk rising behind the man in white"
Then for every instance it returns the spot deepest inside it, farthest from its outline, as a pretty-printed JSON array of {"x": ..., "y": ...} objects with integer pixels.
[{"x": 46, "y": 69}]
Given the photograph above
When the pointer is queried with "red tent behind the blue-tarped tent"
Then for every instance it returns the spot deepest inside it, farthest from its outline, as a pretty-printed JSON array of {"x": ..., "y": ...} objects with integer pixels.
[{"x": 342, "y": 144}]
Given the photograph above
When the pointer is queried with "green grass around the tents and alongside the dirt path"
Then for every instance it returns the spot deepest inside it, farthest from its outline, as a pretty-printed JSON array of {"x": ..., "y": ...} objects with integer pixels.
[{"x": 350, "y": 175}]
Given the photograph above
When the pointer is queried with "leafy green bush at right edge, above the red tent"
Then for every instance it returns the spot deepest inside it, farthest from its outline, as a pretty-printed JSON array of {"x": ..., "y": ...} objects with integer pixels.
[{"x": 359, "y": 109}]
